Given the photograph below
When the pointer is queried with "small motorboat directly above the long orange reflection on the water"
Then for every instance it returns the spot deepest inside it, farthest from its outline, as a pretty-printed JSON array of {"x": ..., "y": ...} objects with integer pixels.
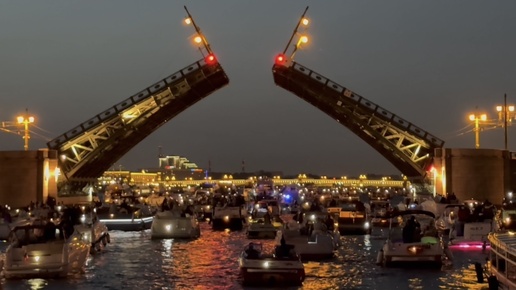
[{"x": 232, "y": 217}]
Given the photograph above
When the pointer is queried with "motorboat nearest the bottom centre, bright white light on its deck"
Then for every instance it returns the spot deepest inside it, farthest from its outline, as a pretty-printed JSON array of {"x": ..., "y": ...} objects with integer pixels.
[{"x": 283, "y": 267}]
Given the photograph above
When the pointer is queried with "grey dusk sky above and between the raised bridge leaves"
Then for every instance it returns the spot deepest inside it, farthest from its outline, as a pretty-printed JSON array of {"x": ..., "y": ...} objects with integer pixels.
[{"x": 430, "y": 62}]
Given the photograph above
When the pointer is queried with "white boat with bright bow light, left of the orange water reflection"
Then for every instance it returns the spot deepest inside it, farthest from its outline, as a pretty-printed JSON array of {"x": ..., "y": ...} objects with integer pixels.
[{"x": 171, "y": 224}]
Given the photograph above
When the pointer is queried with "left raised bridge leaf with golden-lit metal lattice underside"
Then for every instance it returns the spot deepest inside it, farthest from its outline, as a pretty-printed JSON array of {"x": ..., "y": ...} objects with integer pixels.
[{"x": 89, "y": 149}]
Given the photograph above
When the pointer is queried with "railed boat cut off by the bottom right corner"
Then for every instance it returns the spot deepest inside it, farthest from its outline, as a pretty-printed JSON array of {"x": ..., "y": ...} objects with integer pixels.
[{"x": 502, "y": 260}]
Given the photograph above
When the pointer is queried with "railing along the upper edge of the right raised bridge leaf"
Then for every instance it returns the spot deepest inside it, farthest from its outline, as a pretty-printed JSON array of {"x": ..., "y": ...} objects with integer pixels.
[{"x": 371, "y": 106}]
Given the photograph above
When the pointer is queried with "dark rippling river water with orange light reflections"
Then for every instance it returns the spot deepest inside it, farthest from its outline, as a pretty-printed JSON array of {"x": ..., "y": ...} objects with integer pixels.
[{"x": 134, "y": 261}]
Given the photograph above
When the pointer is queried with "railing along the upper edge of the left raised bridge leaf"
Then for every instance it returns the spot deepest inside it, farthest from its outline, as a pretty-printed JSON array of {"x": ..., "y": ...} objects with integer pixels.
[{"x": 123, "y": 105}]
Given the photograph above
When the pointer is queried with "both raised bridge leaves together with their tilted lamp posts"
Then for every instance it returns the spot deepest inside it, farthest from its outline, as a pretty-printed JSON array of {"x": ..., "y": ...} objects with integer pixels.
[{"x": 92, "y": 147}]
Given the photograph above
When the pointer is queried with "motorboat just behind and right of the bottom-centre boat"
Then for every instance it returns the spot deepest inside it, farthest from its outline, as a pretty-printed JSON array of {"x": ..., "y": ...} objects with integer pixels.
[{"x": 311, "y": 237}]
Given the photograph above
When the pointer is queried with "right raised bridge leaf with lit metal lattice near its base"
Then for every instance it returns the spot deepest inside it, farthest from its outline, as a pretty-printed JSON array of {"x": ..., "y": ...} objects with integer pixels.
[{"x": 408, "y": 147}]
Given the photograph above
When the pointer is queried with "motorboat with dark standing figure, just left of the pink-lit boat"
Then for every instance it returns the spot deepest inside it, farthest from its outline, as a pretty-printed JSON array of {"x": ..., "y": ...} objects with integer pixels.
[{"x": 406, "y": 243}]
